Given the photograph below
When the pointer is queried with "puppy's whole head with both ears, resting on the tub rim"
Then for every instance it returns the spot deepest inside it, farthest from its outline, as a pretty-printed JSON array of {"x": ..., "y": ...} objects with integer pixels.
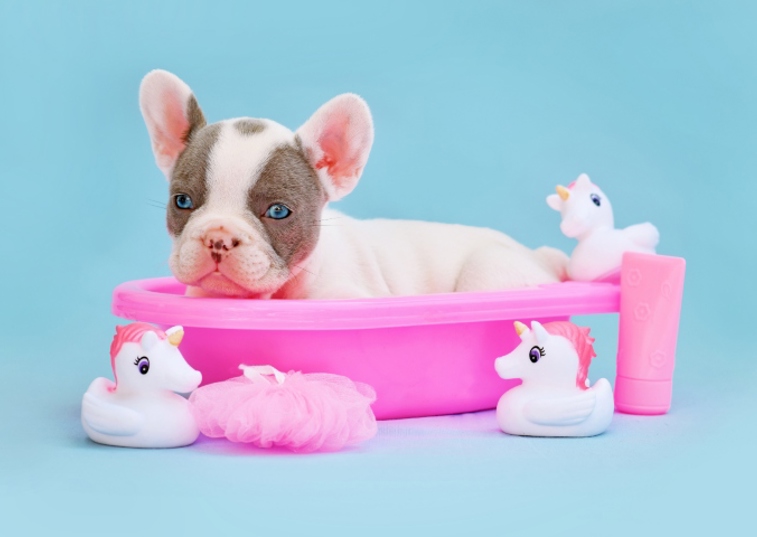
[{"x": 246, "y": 195}]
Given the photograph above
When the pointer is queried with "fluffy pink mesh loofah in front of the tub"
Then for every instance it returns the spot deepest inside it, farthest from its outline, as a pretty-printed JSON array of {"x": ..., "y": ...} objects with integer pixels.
[{"x": 303, "y": 412}]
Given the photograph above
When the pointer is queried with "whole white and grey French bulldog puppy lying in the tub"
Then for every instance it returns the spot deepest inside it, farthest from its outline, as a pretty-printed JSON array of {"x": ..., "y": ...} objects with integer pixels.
[{"x": 248, "y": 211}]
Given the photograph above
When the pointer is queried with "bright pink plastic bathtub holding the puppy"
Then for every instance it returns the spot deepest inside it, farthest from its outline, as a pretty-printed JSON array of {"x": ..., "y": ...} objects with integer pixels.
[{"x": 424, "y": 355}]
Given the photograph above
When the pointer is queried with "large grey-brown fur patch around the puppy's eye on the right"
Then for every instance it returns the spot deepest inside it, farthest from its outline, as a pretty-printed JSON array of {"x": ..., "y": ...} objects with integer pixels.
[{"x": 288, "y": 178}]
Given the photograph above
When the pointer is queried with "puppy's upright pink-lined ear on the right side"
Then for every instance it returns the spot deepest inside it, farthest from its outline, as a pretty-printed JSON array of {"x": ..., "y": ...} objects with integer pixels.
[{"x": 337, "y": 140}]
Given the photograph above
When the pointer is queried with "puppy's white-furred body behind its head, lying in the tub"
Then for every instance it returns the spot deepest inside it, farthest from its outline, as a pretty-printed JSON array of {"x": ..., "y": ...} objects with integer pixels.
[{"x": 365, "y": 258}]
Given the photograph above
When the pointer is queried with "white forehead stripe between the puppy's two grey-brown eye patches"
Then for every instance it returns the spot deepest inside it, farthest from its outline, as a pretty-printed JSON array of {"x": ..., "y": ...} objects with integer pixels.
[{"x": 237, "y": 159}]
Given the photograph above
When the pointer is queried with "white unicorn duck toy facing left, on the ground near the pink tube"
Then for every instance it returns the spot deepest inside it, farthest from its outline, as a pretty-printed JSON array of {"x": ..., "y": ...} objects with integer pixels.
[{"x": 555, "y": 398}]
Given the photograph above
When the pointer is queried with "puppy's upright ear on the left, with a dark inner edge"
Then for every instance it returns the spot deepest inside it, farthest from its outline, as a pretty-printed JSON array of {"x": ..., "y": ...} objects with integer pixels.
[{"x": 171, "y": 114}]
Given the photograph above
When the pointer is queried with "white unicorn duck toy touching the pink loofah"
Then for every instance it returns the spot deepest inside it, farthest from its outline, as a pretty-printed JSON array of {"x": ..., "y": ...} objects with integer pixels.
[{"x": 141, "y": 409}]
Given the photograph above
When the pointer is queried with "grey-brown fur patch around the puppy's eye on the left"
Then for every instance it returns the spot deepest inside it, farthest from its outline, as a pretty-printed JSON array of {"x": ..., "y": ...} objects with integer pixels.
[{"x": 190, "y": 175}]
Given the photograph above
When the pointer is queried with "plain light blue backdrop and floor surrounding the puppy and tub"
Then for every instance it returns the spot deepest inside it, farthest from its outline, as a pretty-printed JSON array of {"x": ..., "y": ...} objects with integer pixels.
[{"x": 480, "y": 109}]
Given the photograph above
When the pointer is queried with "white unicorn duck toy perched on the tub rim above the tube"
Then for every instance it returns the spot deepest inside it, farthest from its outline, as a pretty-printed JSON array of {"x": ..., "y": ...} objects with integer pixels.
[{"x": 587, "y": 216}]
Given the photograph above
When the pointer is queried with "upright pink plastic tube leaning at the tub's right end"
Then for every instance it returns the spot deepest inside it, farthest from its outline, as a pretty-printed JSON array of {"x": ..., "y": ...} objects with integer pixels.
[{"x": 650, "y": 309}]
